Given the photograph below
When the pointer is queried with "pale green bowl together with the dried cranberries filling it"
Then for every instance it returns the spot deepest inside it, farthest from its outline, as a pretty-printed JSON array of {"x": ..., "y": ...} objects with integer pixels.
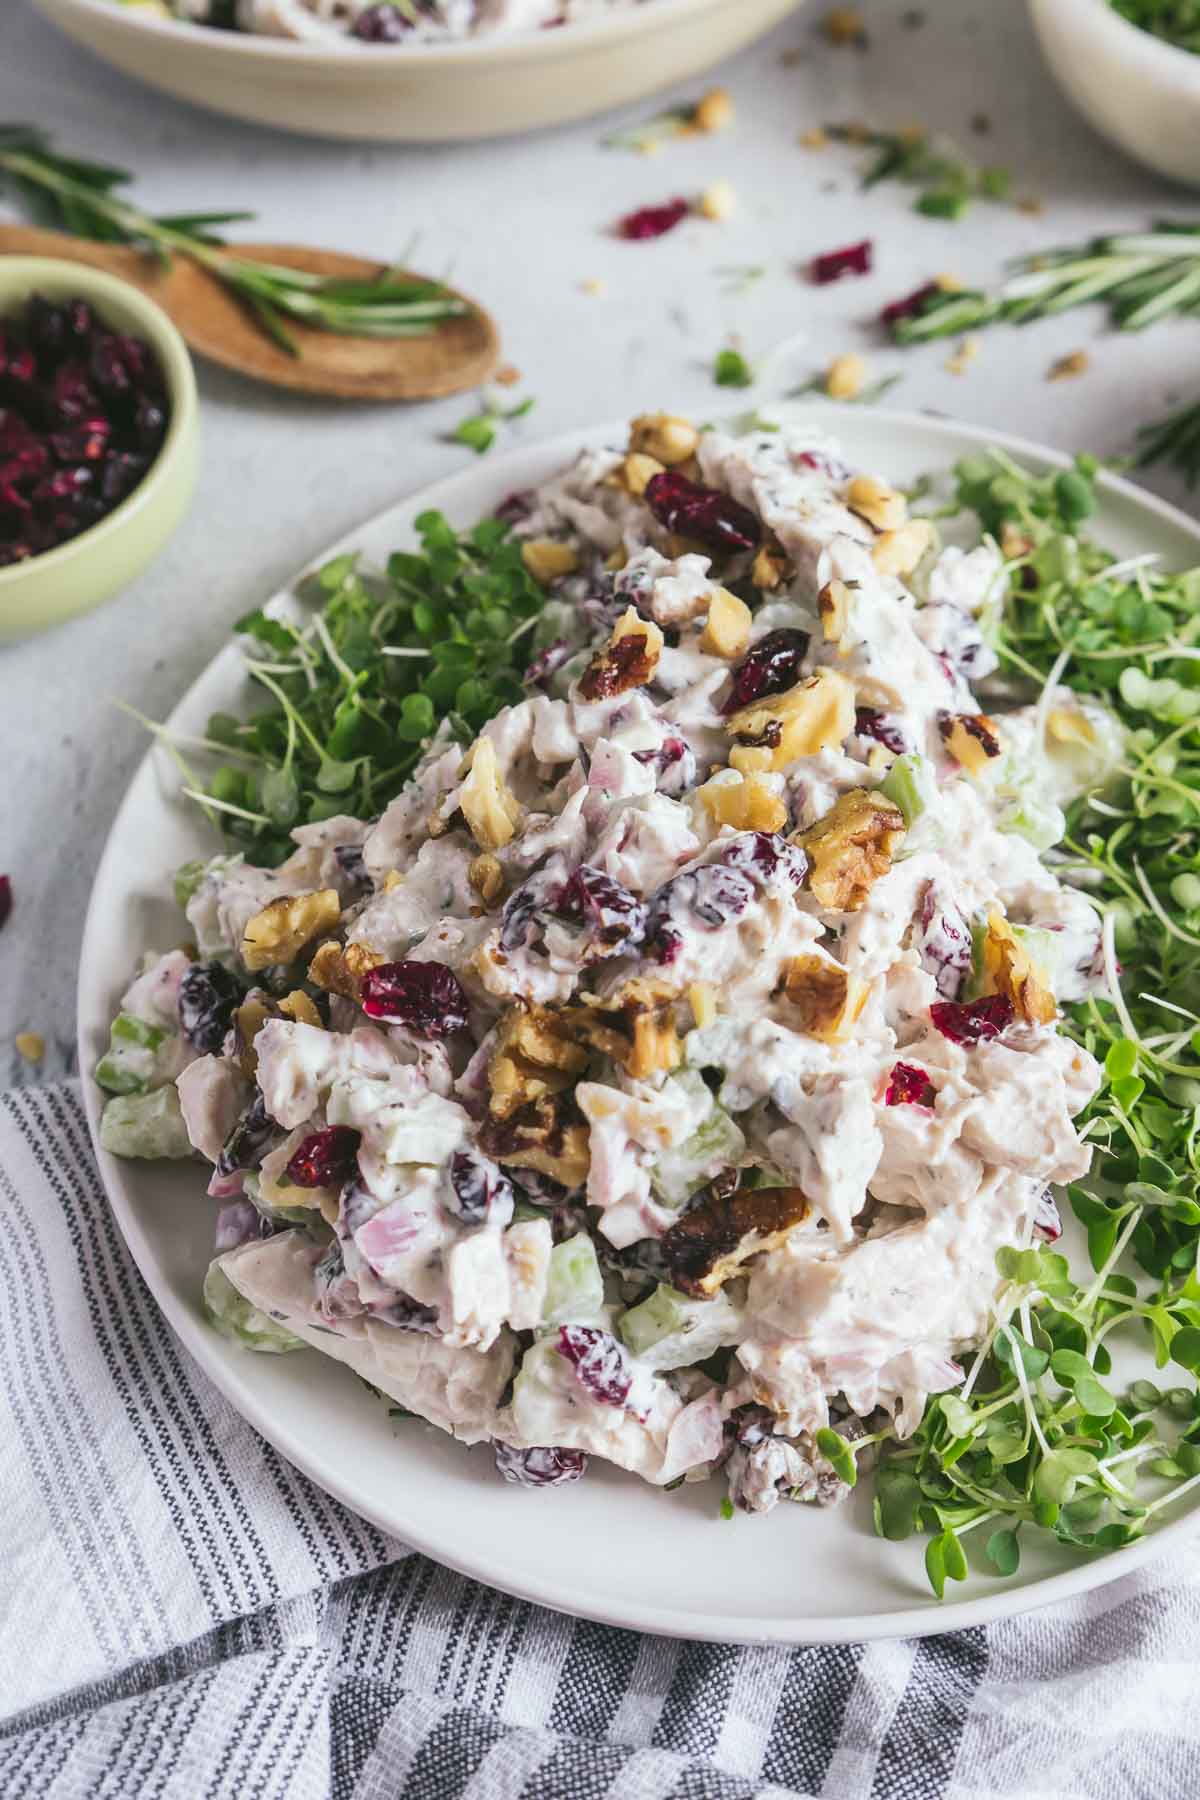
[{"x": 98, "y": 440}]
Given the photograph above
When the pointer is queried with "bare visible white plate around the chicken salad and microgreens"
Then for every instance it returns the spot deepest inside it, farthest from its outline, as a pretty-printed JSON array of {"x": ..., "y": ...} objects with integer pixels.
[{"x": 607, "y": 1547}]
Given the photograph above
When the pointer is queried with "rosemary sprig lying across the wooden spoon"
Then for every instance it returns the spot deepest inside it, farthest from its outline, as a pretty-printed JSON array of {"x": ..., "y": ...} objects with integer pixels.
[{"x": 84, "y": 199}]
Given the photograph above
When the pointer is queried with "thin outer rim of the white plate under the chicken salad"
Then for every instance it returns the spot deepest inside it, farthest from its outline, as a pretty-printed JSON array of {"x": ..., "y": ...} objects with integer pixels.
[{"x": 659, "y": 1621}]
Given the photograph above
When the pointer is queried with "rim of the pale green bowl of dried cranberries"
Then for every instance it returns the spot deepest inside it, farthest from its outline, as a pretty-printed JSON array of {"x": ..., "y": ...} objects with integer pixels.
[{"x": 179, "y": 375}]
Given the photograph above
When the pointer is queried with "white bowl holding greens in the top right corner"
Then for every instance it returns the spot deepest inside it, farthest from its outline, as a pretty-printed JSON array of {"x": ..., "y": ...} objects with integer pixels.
[{"x": 1136, "y": 91}]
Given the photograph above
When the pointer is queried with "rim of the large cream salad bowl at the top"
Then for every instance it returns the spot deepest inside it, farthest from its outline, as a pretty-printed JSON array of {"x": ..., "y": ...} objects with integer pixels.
[{"x": 533, "y": 46}]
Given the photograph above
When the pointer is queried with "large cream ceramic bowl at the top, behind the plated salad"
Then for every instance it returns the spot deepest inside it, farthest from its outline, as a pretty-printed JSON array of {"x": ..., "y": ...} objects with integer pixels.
[{"x": 427, "y": 93}]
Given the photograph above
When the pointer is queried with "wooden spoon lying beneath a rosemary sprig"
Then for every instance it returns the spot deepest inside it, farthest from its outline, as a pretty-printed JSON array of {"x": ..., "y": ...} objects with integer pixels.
[{"x": 458, "y": 354}]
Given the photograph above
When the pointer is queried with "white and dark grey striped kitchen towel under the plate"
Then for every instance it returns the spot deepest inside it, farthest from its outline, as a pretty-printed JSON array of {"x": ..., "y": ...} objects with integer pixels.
[{"x": 183, "y": 1615}]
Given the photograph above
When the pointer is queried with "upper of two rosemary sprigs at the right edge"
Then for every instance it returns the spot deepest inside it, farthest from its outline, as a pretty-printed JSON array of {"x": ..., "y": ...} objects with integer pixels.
[{"x": 1142, "y": 278}]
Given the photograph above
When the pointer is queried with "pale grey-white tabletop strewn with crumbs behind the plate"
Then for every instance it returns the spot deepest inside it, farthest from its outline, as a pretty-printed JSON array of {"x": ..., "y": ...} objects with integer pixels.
[{"x": 524, "y": 224}]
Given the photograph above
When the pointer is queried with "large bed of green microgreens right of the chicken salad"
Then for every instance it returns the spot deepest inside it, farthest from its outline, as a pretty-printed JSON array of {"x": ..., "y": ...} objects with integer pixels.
[{"x": 1039, "y": 1439}]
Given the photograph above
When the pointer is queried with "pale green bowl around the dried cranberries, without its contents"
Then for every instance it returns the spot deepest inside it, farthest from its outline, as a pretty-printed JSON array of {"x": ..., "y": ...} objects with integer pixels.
[{"x": 89, "y": 570}]
